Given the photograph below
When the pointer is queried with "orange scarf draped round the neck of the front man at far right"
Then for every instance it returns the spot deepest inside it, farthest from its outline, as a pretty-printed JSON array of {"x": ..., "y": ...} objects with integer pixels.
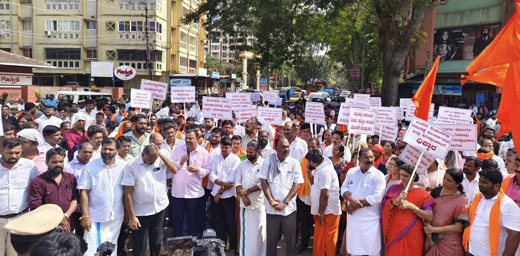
[{"x": 494, "y": 223}]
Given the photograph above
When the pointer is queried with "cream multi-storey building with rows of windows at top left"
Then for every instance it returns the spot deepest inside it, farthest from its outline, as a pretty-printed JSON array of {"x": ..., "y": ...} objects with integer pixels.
[{"x": 71, "y": 34}]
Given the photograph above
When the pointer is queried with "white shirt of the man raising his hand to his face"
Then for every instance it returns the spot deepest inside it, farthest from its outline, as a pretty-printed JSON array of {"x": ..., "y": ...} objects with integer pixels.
[{"x": 150, "y": 194}]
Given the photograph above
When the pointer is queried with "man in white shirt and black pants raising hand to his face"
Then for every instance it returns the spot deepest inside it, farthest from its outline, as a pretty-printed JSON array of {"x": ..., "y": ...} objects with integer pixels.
[{"x": 146, "y": 197}]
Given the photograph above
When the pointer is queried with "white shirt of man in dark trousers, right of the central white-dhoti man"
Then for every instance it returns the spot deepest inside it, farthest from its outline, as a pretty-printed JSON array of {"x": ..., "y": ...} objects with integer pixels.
[{"x": 280, "y": 184}]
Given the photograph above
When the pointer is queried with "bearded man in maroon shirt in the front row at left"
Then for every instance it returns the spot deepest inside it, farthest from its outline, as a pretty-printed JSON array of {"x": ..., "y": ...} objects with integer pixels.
[{"x": 55, "y": 187}]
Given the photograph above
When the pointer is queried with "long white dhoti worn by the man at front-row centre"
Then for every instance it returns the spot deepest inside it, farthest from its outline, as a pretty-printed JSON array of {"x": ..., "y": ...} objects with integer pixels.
[{"x": 252, "y": 232}]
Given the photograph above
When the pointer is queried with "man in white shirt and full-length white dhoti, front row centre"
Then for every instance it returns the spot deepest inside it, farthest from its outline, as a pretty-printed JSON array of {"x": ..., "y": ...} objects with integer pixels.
[{"x": 252, "y": 210}]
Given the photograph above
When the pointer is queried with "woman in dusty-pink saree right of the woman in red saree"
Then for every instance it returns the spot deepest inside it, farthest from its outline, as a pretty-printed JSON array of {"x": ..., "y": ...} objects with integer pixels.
[{"x": 450, "y": 217}]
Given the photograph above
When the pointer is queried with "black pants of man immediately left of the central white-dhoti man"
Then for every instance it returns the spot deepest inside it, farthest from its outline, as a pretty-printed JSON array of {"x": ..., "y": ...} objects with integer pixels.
[{"x": 224, "y": 213}]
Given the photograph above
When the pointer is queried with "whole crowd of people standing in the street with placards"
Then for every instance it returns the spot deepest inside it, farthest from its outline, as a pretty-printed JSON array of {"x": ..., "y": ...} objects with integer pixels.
[{"x": 117, "y": 172}]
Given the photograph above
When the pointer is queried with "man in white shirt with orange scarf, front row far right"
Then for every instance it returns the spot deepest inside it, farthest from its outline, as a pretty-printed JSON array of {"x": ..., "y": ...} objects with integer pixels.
[{"x": 482, "y": 217}]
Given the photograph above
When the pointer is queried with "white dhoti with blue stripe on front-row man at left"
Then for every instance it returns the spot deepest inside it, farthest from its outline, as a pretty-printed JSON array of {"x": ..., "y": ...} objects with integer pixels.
[{"x": 101, "y": 232}]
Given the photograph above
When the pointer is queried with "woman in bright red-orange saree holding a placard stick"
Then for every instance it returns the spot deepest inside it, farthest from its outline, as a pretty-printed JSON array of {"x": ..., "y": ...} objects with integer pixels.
[{"x": 403, "y": 215}]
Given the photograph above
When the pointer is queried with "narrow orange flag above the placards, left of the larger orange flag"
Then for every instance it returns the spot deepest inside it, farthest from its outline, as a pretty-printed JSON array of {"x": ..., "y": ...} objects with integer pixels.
[{"x": 423, "y": 97}]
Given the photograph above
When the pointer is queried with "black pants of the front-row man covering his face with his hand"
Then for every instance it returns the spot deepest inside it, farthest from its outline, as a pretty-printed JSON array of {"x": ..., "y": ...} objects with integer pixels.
[{"x": 152, "y": 227}]
